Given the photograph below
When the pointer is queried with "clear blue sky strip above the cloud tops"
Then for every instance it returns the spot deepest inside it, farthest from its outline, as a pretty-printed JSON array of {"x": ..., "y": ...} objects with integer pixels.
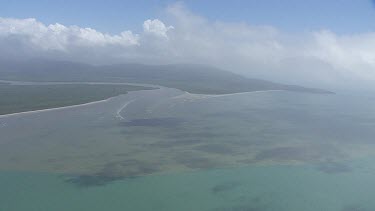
[{"x": 339, "y": 16}]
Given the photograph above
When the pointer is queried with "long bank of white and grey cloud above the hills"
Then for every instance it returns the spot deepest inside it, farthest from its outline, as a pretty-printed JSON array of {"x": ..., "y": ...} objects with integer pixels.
[{"x": 320, "y": 57}]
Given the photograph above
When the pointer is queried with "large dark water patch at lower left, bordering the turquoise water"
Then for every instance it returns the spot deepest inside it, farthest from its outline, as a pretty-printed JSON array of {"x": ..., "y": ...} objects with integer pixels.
[{"x": 114, "y": 171}]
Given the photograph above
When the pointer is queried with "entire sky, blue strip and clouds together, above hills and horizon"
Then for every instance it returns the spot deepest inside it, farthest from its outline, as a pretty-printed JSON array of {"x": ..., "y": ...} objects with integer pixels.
[{"x": 317, "y": 42}]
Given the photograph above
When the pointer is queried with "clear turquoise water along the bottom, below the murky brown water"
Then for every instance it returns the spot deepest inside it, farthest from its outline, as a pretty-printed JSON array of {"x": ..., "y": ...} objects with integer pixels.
[{"x": 261, "y": 188}]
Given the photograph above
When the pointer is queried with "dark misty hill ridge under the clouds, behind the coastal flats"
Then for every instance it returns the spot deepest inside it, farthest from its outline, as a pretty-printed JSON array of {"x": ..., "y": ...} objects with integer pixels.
[{"x": 188, "y": 77}]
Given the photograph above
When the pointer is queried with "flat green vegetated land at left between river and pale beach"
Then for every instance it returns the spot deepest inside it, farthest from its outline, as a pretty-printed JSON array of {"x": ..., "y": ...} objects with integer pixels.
[{"x": 17, "y": 98}]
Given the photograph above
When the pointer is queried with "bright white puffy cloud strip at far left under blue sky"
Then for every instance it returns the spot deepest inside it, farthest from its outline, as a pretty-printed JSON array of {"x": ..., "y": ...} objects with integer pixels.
[{"x": 60, "y": 37}]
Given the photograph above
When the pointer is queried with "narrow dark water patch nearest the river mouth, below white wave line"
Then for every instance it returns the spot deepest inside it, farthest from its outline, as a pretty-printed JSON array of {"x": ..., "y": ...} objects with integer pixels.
[{"x": 153, "y": 122}]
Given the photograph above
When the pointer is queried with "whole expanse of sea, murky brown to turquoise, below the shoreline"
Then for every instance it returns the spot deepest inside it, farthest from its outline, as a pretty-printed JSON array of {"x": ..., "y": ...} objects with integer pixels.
[{"x": 166, "y": 150}]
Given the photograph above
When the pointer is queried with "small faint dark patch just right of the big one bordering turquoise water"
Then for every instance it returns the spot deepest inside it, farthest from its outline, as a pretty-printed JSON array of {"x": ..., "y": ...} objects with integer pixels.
[{"x": 195, "y": 162}]
